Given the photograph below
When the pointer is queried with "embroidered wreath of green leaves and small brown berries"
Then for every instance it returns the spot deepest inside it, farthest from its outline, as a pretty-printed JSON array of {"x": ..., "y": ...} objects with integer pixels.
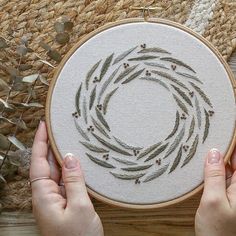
[{"x": 153, "y": 64}]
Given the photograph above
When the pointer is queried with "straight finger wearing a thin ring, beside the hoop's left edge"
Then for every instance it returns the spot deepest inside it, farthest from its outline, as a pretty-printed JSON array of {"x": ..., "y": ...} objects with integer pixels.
[{"x": 39, "y": 165}]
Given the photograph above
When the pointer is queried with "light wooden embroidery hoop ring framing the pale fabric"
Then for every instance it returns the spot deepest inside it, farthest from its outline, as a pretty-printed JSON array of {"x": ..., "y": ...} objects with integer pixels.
[{"x": 81, "y": 42}]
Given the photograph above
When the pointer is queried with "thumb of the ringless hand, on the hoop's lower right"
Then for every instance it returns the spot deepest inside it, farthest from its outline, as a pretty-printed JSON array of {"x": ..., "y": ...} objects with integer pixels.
[{"x": 215, "y": 183}]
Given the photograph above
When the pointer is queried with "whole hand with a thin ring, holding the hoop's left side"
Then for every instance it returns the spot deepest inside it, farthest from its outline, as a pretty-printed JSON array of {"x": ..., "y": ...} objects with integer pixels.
[{"x": 59, "y": 210}]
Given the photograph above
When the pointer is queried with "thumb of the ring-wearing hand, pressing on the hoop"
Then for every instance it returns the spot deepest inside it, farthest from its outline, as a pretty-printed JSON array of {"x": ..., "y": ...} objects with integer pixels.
[{"x": 73, "y": 179}]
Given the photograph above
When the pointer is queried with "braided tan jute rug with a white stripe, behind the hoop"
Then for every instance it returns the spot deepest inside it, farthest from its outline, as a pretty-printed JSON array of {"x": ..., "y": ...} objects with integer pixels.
[{"x": 214, "y": 19}]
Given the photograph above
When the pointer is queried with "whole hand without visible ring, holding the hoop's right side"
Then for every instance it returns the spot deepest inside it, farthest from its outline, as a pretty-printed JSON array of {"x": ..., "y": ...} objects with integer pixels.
[{"x": 216, "y": 215}]
